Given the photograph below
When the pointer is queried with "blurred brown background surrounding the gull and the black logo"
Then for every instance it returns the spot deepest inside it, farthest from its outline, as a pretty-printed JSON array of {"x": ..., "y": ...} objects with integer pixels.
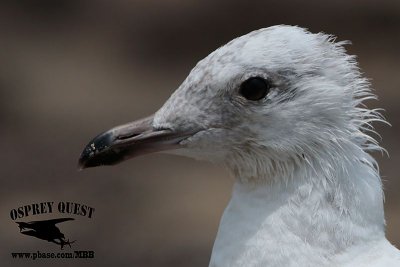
[{"x": 70, "y": 69}]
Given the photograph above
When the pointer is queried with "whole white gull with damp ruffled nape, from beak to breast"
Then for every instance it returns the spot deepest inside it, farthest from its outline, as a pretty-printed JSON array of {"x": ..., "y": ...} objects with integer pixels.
[{"x": 282, "y": 108}]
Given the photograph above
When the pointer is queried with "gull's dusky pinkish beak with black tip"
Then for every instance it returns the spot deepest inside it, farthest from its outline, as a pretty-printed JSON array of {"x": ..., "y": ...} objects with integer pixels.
[{"x": 128, "y": 141}]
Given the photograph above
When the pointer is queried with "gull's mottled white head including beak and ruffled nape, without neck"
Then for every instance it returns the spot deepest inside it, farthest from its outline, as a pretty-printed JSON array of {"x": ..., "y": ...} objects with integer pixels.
[{"x": 267, "y": 102}]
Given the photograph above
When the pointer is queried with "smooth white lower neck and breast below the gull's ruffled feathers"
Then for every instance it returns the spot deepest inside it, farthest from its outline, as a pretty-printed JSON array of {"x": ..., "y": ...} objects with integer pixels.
[{"x": 298, "y": 225}]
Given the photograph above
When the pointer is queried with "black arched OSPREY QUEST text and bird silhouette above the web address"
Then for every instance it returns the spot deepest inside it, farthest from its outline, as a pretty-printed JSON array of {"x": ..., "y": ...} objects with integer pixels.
[{"x": 50, "y": 229}]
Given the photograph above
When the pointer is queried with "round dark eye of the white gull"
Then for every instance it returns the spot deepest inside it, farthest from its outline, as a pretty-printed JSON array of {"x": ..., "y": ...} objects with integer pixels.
[{"x": 254, "y": 88}]
